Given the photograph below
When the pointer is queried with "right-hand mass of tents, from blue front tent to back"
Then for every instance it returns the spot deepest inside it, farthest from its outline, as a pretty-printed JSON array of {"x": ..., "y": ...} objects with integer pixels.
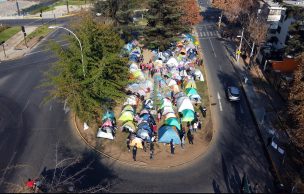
[{"x": 176, "y": 67}]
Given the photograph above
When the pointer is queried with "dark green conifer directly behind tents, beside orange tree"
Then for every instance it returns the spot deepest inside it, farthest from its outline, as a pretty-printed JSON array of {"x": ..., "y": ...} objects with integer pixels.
[{"x": 164, "y": 24}]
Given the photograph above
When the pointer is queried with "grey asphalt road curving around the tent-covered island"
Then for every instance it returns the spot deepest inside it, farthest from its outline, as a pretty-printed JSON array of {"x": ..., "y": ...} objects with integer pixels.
[{"x": 31, "y": 130}]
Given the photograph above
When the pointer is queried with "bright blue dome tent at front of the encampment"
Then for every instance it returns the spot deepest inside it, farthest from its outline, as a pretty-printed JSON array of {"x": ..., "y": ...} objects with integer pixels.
[{"x": 166, "y": 133}]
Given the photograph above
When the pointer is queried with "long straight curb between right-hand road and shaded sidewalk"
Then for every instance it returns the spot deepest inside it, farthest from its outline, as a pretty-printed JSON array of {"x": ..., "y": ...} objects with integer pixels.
[{"x": 274, "y": 169}]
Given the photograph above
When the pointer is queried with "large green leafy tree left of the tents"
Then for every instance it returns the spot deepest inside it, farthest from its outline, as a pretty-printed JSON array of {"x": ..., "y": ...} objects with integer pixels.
[{"x": 106, "y": 74}]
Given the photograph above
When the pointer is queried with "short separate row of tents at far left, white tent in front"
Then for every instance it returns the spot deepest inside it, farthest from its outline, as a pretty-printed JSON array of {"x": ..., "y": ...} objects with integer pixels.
[{"x": 107, "y": 129}]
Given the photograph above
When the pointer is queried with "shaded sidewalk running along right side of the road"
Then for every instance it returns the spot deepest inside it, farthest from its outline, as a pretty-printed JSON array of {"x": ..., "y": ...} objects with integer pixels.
[{"x": 264, "y": 103}]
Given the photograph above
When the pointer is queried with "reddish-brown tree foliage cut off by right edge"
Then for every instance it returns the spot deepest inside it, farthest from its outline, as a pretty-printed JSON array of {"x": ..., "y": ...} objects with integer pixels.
[{"x": 296, "y": 106}]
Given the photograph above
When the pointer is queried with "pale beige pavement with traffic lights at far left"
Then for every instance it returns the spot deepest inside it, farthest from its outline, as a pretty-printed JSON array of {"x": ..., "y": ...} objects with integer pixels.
[{"x": 15, "y": 47}]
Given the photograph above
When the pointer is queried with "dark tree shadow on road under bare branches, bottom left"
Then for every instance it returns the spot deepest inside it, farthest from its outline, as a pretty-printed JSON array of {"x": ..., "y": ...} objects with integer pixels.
[{"x": 84, "y": 173}]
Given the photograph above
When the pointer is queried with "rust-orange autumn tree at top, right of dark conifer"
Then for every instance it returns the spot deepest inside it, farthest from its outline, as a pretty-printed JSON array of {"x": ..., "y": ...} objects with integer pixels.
[{"x": 191, "y": 12}]
